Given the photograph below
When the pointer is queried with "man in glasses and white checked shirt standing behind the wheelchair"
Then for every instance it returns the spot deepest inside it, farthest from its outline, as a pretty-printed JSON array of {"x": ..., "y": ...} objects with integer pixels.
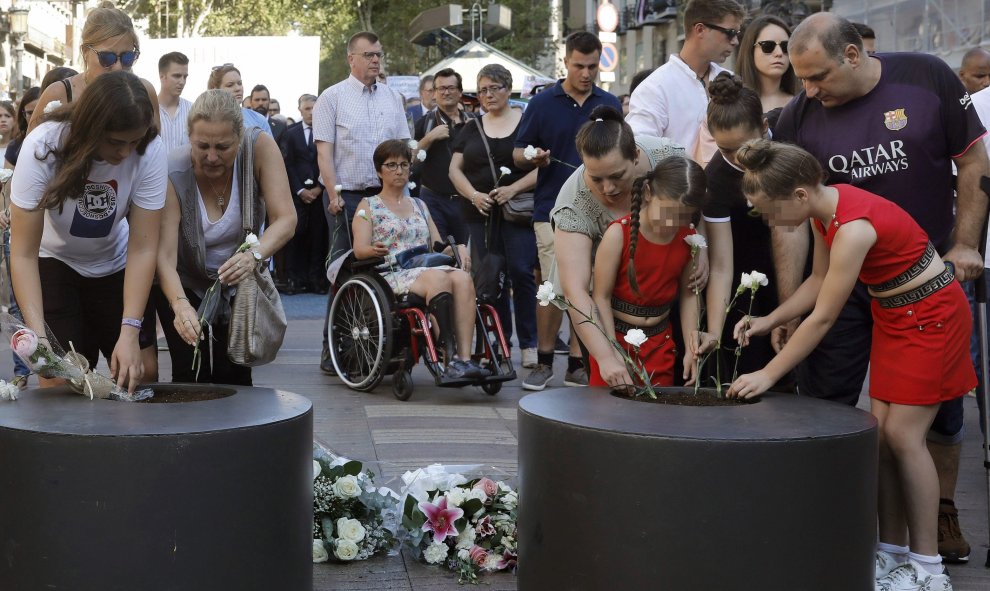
[{"x": 350, "y": 119}]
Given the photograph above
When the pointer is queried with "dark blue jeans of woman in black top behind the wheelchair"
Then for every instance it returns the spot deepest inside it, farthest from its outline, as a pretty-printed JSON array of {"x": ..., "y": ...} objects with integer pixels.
[{"x": 518, "y": 244}]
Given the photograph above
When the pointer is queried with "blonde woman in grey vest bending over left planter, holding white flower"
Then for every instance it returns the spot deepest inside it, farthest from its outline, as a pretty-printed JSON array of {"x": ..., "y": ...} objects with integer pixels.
[{"x": 202, "y": 230}]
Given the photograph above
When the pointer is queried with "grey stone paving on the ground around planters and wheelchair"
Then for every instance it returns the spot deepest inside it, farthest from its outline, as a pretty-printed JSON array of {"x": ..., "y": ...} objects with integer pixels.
[{"x": 466, "y": 426}]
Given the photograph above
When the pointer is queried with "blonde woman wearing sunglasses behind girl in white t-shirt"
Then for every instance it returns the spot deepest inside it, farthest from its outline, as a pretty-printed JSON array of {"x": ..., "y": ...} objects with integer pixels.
[{"x": 109, "y": 44}]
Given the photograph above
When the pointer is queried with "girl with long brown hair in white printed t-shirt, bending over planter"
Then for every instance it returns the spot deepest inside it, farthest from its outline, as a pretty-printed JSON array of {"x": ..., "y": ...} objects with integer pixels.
[{"x": 86, "y": 199}]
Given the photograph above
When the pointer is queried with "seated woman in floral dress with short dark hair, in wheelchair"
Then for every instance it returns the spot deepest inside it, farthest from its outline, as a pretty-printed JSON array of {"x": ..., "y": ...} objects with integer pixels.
[{"x": 392, "y": 222}]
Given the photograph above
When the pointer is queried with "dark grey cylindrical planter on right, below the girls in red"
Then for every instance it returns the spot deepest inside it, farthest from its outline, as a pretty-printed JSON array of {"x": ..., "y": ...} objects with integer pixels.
[{"x": 622, "y": 494}]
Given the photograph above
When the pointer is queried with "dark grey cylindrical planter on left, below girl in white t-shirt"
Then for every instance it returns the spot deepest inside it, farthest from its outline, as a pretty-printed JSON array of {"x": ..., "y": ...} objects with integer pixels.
[{"x": 207, "y": 495}]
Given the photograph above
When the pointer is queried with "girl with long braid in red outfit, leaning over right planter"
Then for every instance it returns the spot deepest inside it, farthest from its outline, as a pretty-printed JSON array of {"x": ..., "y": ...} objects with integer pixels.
[{"x": 642, "y": 268}]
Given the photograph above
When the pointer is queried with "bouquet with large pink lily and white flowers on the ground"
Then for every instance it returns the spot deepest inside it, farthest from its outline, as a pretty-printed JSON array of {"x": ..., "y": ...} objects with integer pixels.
[{"x": 465, "y": 525}]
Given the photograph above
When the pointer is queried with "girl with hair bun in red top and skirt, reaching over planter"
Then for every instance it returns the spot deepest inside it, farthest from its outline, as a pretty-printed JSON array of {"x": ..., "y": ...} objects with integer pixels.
[{"x": 920, "y": 352}]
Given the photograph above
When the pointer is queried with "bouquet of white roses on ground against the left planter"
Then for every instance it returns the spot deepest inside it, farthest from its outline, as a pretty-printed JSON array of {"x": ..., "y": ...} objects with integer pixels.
[{"x": 352, "y": 518}]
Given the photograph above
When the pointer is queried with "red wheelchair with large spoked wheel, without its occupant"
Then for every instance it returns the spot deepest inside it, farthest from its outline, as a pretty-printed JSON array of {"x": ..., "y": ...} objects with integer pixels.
[{"x": 374, "y": 333}]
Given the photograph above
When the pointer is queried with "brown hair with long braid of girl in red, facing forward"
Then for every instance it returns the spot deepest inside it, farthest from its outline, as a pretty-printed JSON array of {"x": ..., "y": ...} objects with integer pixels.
[{"x": 676, "y": 178}]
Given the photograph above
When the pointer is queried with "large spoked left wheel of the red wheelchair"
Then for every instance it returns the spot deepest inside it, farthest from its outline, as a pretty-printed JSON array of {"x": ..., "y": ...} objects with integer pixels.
[{"x": 360, "y": 332}]
